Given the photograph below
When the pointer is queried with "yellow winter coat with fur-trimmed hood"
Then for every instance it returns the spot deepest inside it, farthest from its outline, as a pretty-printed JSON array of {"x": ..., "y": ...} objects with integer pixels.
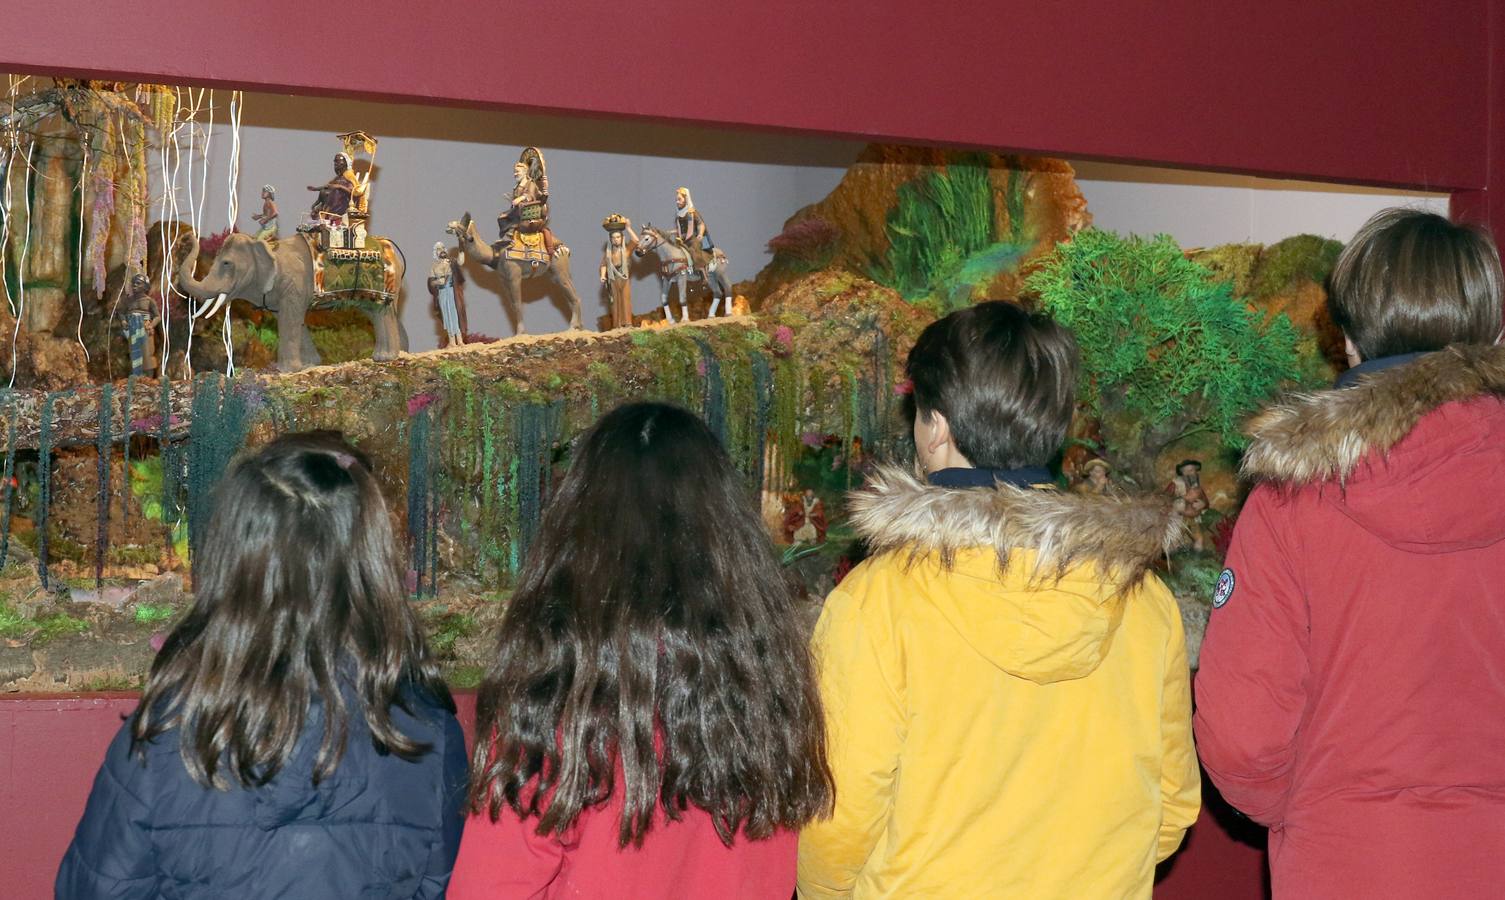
[{"x": 997, "y": 735}]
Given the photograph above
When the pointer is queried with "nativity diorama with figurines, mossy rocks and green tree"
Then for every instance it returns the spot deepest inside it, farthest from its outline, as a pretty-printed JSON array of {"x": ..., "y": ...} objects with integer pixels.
[{"x": 151, "y": 341}]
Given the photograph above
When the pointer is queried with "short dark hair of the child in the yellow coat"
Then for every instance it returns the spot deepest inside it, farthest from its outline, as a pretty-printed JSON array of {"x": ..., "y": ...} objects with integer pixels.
[{"x": 1003, "y": 379}]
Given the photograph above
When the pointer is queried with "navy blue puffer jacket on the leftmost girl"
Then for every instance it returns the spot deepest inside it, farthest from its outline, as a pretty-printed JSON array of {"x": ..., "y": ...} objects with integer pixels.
[{"x": 379, "y": 829}]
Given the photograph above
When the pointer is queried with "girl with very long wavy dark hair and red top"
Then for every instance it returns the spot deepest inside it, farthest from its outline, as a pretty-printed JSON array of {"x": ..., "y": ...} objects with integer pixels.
[{"x": 651, "y": 725}]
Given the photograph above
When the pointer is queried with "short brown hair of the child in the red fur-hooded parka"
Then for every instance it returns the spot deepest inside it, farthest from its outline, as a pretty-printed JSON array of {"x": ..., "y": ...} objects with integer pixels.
[{"x": 1414, "y": 282}]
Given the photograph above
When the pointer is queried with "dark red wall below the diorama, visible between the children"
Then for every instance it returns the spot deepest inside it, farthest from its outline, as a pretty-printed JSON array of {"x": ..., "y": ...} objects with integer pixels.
[{"x": 52, "y": 747}]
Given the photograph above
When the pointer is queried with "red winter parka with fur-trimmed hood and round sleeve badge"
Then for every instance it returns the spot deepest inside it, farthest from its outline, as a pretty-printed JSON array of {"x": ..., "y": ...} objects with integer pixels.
[{"x": 1352, "y": 687}]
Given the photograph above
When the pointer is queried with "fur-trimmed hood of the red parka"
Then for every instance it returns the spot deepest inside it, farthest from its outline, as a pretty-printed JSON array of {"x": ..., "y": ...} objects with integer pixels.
[{"x": 1390, "y": 442}]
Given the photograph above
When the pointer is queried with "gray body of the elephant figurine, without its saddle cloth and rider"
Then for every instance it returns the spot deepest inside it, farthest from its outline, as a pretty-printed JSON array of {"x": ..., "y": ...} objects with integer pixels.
[{"x": 278, "y": 276}]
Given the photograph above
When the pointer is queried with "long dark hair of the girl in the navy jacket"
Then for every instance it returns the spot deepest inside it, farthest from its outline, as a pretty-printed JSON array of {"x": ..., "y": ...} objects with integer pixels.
[{"x": 297, "y": 595}]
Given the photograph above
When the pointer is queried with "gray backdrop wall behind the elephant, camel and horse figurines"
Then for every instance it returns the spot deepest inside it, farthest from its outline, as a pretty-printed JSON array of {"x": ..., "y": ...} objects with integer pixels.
[{"x": 436, "y": 163}]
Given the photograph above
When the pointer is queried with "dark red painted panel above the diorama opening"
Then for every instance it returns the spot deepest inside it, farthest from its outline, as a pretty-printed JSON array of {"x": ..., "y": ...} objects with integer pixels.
[{"x": 1388, "y": 93}]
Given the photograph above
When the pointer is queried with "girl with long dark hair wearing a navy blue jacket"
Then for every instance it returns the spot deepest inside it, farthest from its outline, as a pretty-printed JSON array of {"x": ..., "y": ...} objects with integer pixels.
[{"x": 294, "y": 738}]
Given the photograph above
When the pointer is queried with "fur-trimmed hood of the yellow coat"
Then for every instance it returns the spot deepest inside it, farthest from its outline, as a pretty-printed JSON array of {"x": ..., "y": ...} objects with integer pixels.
[{"x": 1047, "y": 622}]
